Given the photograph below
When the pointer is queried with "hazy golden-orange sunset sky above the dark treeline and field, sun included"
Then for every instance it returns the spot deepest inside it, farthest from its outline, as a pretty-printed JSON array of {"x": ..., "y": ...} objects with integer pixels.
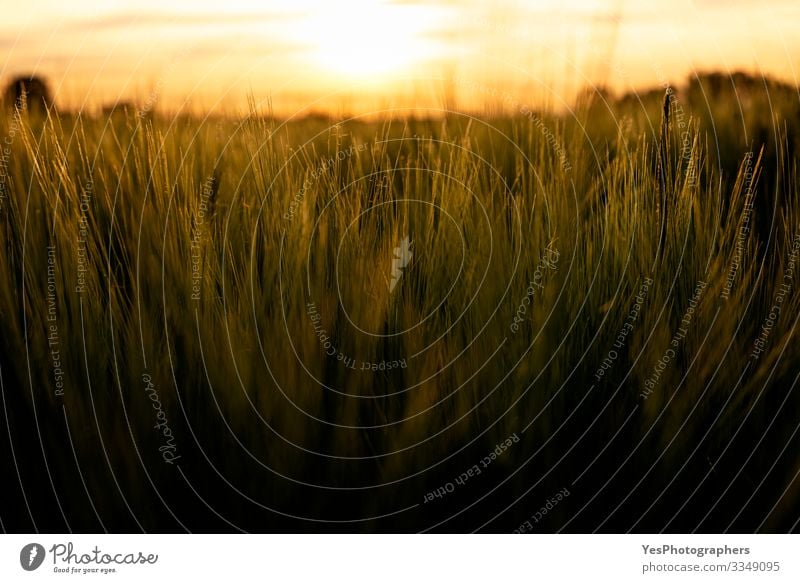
[{"x": 305, "y": 56}]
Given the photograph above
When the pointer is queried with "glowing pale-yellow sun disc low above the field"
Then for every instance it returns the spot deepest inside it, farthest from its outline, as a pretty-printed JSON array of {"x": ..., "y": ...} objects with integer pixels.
[{"x": 362, "y": 39}]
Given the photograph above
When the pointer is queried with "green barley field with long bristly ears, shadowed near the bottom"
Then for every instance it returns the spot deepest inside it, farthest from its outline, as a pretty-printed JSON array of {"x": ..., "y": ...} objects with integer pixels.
[{"x": 517, "y": 320}]
